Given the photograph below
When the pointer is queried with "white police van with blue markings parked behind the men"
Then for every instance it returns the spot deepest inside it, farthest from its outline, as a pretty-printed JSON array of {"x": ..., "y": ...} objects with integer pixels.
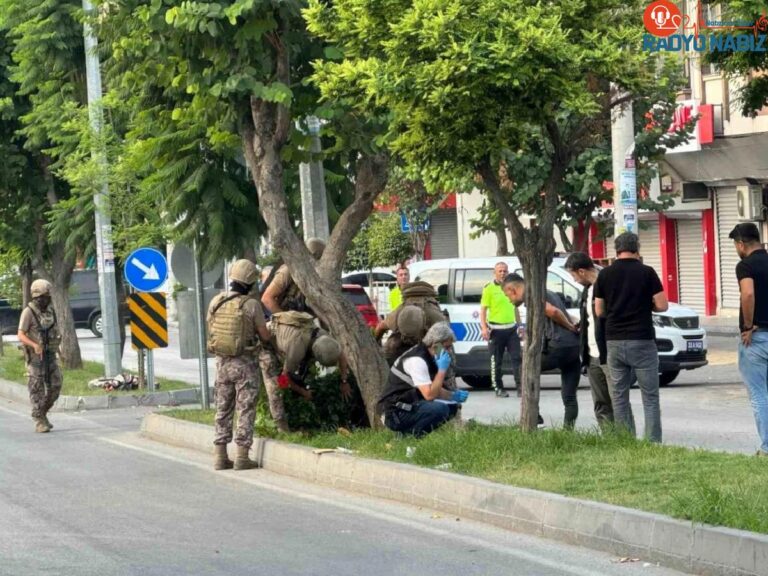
[{"x": 682, "y": 343}]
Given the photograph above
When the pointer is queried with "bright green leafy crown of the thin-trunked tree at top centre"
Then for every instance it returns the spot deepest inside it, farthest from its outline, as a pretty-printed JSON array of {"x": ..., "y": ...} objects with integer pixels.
[{"x": 461, "y": 79}]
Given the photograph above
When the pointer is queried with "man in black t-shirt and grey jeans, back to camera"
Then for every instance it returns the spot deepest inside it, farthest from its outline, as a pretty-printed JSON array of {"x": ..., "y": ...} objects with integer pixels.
[{"x": 627, "y": 293}]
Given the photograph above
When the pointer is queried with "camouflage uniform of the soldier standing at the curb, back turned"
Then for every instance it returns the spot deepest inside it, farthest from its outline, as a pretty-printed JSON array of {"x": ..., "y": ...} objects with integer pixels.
[{"x": 238, "y": 380}]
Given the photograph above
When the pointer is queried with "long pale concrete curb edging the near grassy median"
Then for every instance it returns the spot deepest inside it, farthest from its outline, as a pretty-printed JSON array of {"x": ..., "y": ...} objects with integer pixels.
[{"x": 698, "y": 549}]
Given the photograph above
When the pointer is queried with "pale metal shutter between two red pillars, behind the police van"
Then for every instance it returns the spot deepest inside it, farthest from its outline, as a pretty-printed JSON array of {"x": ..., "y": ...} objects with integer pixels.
[{"x": 690, "y": 264}]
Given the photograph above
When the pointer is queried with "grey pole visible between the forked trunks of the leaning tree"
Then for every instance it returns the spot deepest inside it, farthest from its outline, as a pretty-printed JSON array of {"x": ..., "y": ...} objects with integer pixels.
[{"x": 314, "y": 203}]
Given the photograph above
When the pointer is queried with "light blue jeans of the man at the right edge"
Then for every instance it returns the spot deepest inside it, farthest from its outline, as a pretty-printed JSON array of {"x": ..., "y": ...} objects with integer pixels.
[{"x": 753, "y": 365}]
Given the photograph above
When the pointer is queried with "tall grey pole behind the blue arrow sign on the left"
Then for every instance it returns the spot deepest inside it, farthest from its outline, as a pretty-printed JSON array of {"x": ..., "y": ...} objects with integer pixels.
[{"x": 105, "y": 260}]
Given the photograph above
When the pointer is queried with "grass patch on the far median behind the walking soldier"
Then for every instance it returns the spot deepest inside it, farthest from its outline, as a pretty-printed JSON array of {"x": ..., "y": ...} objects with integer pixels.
[{"x": 75, "y": 381}]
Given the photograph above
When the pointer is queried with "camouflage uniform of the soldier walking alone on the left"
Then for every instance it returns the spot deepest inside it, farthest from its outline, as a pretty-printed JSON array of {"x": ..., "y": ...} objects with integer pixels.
[{"x": 42, "y": 395}]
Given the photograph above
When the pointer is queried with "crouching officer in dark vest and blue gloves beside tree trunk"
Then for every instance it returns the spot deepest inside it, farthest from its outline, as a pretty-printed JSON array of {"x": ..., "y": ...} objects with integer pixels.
[{"x": 415, "y": 401}]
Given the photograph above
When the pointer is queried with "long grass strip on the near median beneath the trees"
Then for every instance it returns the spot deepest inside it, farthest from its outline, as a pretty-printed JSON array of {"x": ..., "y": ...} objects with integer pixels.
[{"x": 708, "y": 487}]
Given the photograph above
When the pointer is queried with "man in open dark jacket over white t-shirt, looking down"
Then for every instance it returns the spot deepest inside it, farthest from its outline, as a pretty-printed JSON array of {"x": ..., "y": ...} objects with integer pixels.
[{"x": 594, "y": 350}]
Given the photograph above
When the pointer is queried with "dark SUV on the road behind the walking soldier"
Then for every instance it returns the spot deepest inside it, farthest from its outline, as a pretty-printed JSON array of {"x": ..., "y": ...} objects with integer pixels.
[{"x": 83, "y": 300}]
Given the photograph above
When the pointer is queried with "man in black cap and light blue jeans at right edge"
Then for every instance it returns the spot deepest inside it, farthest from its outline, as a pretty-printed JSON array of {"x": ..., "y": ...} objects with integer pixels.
[{"x": 752, "y": 273}]
